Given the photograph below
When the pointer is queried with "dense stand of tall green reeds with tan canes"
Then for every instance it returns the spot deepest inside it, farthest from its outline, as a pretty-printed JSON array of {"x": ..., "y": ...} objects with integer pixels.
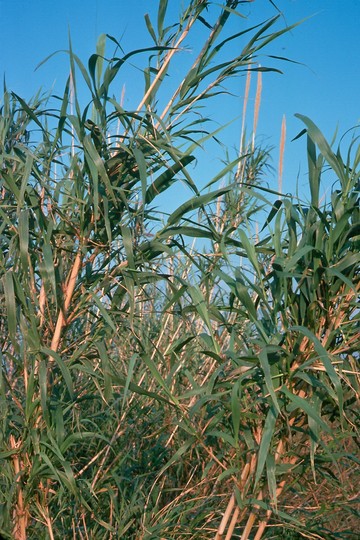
[{"x": 181, "y": 375}]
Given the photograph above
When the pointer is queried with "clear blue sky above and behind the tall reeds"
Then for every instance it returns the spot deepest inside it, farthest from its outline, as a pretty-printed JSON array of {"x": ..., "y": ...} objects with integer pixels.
[{"x": 325, "y": 87}]
